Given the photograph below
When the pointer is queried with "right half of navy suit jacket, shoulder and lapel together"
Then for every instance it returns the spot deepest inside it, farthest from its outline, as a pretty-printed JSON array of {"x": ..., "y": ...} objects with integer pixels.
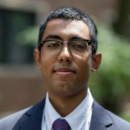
[{"x": 103, "y": 119}]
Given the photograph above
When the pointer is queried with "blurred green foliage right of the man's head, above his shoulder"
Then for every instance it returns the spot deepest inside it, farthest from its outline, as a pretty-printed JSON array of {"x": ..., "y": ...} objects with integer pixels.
[{"x": 112, "y": 81}]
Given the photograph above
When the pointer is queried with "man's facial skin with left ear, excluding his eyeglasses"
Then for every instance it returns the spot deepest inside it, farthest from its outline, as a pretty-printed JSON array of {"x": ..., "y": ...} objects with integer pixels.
[{"x": 65, "y": 74}]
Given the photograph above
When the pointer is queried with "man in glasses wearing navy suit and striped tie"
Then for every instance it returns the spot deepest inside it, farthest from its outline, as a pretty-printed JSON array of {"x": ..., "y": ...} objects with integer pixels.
[{"x": 66, "y": 56}]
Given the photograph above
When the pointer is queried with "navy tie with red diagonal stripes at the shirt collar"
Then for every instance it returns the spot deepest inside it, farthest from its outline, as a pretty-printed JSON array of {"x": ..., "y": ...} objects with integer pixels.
[{"x": 60, "y": 124}]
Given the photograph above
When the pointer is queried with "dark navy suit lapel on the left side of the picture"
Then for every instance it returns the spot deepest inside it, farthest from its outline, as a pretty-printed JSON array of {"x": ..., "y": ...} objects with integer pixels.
[{"x": 32, "y": 119}]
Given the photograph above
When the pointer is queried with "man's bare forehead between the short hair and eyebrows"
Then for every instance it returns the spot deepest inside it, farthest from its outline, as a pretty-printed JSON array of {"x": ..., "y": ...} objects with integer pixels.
[{"x": 67, "y": 28}]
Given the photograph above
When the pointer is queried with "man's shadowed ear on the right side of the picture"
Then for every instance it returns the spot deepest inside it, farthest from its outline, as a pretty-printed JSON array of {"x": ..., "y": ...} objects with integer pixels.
[{"x": 96, "y": 62}]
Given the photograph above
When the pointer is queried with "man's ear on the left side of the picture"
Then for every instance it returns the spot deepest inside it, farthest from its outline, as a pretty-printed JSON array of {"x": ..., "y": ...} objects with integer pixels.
[{"x": 37, "y": 58}]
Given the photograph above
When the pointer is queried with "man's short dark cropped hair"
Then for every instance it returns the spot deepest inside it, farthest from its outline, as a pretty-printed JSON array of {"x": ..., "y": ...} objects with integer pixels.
[{"x": 70, "y": 13}]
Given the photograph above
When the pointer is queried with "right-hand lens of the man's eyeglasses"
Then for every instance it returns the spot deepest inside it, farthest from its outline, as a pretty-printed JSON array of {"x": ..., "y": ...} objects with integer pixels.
[{"x": 79, "y": 47}]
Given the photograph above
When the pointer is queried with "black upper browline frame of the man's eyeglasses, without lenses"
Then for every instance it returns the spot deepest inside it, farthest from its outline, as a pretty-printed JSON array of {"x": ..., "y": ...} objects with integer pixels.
[{"x": 41, "y": 43}]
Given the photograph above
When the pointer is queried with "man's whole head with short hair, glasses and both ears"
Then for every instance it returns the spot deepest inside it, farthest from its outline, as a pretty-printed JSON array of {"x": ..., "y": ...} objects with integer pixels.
[{"x": 66, "y": 67}]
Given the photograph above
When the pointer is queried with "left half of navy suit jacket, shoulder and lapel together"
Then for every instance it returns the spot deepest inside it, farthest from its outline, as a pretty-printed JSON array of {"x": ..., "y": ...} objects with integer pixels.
[{"x": 27, "y": 119}]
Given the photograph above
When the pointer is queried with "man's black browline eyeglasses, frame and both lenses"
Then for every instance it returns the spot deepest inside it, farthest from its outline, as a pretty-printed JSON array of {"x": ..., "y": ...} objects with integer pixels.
[{"x": 54, "y": 47}]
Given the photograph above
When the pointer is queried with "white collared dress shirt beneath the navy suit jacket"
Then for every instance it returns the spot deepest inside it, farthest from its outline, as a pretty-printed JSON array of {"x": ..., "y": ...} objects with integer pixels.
[{"x": 78, "y": 119}]
